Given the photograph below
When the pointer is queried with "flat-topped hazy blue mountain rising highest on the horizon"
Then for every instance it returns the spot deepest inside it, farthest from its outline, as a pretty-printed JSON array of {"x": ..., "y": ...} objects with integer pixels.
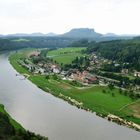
[{"x": 82, "y": 33}]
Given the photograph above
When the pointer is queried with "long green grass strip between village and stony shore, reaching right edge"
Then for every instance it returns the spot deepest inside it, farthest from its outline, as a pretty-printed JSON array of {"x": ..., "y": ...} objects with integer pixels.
[{"x": 93, "y": 98}]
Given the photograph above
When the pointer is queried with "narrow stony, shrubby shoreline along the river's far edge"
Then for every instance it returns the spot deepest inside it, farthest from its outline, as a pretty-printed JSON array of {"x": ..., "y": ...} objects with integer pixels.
[{"x": 79, "y": 105}]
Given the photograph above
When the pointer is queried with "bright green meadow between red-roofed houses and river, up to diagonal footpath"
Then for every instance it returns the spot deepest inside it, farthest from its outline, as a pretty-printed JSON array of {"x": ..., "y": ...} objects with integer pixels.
[{"x": 93, "y": 97}]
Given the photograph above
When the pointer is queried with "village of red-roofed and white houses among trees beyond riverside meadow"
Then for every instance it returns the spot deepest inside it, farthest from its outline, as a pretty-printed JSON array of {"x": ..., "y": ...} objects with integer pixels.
[{"x": 89, "y": 76}]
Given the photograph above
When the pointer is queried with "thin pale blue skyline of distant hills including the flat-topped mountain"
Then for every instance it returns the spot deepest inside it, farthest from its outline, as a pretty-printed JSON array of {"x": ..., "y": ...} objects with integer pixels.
[{"x": 75, "y": 34}]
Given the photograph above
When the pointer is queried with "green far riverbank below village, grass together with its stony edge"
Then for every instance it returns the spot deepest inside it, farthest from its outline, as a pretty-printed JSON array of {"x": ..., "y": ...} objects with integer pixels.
[{"x": 91, "y": 99}]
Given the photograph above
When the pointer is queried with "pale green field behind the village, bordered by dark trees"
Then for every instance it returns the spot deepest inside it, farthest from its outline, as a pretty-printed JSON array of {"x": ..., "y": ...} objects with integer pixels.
[{"x": 65, "y": 55}]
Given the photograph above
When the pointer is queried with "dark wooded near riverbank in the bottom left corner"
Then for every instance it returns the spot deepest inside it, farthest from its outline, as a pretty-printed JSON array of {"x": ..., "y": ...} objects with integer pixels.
[{"x": 12, "y": 130}]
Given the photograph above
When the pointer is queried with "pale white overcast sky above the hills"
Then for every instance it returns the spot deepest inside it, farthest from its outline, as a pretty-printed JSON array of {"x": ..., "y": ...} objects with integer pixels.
[{"x": 59, "y": 16}]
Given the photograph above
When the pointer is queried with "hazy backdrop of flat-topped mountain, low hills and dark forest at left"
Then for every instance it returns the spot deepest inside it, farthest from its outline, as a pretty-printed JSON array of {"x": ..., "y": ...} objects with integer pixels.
[{"x": 39, "y": 40}]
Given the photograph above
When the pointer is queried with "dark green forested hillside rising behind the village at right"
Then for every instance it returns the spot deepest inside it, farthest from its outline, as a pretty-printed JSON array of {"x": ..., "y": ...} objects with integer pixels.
[{"x": 122, "y": 51}]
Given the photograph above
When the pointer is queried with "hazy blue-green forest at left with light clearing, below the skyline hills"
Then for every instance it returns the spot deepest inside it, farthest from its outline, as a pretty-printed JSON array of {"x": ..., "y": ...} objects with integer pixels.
[{"x": 33, "y": 42}]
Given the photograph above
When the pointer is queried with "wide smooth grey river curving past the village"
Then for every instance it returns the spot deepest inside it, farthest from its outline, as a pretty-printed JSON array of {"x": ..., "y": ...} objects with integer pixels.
[{"x": 47, "y": 115}]
